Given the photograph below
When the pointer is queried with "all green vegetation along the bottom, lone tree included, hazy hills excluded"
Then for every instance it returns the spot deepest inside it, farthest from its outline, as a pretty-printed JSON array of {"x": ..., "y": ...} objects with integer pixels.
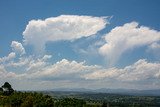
[{"x": 11, "y": 98}]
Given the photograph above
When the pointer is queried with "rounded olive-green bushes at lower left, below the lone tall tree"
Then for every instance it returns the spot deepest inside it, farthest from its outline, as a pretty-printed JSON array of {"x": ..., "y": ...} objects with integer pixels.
[{"x": 26, "y": 99}]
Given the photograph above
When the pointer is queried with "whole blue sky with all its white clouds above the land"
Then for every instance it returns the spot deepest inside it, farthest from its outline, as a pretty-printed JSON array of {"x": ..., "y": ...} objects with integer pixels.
[{"x": 92, "y": 44}]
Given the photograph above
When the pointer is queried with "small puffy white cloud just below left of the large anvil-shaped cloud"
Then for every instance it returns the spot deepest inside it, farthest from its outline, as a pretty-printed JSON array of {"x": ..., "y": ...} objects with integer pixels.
[{"x": 17, "y": 47}]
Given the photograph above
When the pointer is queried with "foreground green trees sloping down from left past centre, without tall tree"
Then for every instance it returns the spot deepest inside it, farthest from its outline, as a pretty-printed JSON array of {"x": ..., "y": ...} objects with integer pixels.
[{"x": 34, "y": 99}]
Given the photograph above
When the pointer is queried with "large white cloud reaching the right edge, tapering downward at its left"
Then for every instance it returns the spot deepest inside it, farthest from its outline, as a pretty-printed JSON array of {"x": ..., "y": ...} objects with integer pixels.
[{"x": 129, "y": 36}]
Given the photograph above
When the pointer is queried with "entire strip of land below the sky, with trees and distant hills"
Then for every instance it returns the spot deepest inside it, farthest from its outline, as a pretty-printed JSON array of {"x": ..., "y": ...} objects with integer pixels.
[{"x": 78, "y": 98}]
